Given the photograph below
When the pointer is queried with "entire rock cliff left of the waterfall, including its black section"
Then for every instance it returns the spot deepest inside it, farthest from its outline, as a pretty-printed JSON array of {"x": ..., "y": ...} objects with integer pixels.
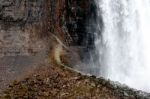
[{"x": 29, "y": 29}]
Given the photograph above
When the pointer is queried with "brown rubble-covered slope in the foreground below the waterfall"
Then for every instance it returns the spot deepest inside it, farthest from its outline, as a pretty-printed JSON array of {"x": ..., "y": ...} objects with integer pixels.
[{"x": 57, "y": 82}]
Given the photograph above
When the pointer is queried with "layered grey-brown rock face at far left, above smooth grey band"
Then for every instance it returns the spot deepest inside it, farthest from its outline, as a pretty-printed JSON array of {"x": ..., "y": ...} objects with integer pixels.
[{"x": 18, "y": 19}]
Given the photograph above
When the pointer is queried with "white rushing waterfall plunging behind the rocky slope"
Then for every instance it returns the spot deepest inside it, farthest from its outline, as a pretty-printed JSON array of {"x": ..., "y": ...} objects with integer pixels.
[{"x": 124, "y": 44}]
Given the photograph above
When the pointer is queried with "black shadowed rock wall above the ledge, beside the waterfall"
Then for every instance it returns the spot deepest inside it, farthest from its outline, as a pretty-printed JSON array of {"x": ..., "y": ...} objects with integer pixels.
[{"x": 78, "y": 20}]
